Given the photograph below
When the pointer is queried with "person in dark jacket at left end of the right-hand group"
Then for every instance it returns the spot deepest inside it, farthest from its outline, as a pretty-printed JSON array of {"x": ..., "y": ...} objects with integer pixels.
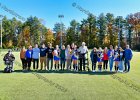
[{"x": 93, "y": 57}]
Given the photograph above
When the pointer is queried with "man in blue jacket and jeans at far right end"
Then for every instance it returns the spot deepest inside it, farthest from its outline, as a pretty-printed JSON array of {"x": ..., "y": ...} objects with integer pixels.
[{"x": 128, "y": 56}]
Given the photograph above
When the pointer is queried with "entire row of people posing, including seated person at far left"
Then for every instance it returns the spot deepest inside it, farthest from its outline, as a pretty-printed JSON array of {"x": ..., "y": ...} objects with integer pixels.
[{"x": 58, "y": 58}]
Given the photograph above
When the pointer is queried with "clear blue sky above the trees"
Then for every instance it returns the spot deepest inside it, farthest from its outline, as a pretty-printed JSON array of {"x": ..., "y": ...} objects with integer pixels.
[{"x": 50, "y": 9}]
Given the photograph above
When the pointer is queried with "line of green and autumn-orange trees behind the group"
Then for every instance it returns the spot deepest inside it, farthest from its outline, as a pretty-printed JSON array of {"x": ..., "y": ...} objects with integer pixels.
[{"x": 103, "y": 30}]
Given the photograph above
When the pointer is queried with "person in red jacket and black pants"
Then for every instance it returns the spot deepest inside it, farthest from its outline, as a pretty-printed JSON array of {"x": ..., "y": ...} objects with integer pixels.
[{"x": 105, "y": 58}]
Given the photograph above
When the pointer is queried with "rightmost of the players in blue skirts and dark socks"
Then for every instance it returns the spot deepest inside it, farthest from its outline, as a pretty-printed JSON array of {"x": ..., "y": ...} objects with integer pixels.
[{"x": 116, "y": 58}]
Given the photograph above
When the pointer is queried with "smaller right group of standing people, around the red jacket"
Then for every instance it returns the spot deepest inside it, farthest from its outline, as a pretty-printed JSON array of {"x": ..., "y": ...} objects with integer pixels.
[{"x": 118, "y": 57}]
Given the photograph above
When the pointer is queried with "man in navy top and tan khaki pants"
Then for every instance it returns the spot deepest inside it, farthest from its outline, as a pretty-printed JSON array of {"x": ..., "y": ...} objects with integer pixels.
[{"x": 43, "y": 51}]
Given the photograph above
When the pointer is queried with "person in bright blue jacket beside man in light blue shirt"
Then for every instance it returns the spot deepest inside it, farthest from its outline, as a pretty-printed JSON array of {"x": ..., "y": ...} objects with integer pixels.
[{"x": 28, "y": 57}]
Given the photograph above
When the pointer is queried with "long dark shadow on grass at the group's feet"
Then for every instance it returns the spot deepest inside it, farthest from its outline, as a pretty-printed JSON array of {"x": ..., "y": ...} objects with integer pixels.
[{"x": 65, "y": 72}]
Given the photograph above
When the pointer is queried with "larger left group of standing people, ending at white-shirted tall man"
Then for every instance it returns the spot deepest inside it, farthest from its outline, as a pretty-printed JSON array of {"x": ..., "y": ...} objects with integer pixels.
[{"x": 54, "y": 57}]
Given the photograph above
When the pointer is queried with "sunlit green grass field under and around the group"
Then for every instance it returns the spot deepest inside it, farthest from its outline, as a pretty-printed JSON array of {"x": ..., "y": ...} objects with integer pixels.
[{"x": 70, "y": 85}]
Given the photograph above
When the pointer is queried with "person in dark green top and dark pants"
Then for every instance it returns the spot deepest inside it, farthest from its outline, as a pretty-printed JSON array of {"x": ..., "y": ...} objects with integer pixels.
[{"x": 62, "y": 58}]
